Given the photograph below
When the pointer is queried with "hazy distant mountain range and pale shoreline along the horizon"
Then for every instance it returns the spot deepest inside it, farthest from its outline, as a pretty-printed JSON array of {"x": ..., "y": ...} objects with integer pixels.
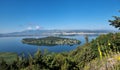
[{"x": 54, "y": 32}]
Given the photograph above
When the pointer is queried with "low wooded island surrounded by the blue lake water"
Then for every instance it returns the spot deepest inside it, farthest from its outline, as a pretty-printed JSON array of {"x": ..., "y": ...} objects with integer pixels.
[{"x": 50, "y": 41}]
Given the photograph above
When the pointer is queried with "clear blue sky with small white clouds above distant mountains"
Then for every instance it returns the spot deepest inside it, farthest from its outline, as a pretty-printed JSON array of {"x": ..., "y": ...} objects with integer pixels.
[{"x": 19, "y": 15}]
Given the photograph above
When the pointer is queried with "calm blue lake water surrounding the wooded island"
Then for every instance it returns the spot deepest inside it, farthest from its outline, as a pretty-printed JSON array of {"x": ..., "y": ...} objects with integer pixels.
[{"x": 14, "y": 44}]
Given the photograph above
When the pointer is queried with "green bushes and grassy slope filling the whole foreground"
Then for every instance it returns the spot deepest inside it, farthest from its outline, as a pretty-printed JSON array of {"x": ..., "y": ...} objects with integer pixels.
[{"x": 100, "y": 54}]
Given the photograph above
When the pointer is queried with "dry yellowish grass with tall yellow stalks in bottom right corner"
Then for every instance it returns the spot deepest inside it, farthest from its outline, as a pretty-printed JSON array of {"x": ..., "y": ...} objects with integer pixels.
[{"x": 109, "y": 60}]
